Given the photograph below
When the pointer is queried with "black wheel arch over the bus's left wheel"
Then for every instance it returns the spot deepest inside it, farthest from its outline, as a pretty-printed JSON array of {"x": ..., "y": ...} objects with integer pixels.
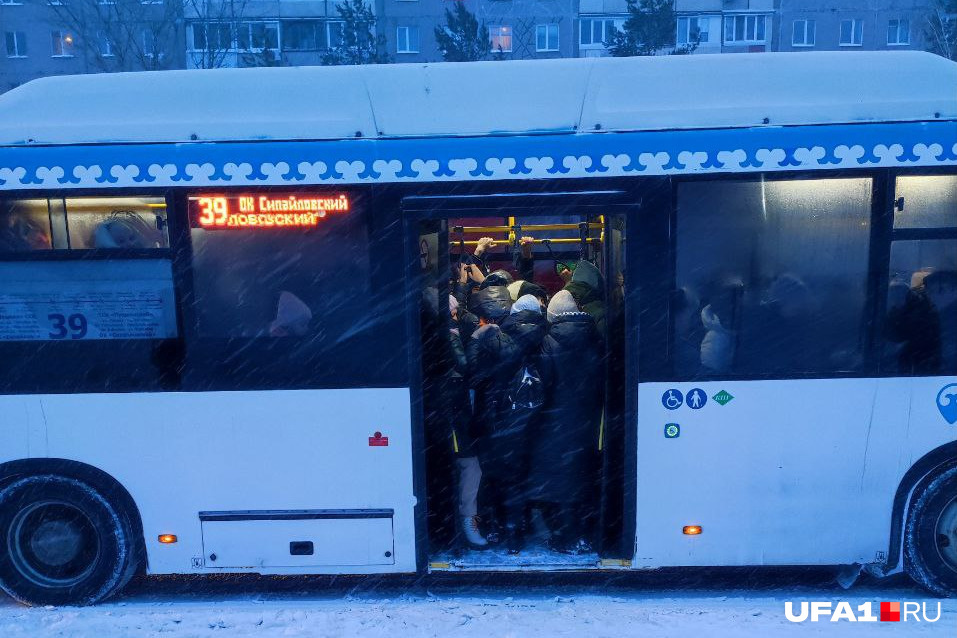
[{"x": 100, "y": 480}]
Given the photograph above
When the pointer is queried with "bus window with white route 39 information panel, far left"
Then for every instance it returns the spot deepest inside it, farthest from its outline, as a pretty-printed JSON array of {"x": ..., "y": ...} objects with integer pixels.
[{"x": 92, "y": 306}]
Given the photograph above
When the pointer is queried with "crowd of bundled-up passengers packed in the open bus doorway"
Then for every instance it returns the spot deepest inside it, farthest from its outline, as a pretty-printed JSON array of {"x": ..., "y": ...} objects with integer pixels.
[{"x": 519, "y": 381}]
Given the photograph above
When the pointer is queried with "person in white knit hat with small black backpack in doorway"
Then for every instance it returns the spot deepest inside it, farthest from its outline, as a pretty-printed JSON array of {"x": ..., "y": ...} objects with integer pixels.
[{"x": 505, "y": 449}]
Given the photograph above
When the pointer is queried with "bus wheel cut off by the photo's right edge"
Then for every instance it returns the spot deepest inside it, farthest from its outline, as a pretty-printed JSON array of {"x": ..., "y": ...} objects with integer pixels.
[{"x": 930, "y": 544}]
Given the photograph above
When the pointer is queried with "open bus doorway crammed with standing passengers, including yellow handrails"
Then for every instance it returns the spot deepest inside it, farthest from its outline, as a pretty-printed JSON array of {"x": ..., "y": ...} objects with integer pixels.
[{"x": 523, "y": 330}]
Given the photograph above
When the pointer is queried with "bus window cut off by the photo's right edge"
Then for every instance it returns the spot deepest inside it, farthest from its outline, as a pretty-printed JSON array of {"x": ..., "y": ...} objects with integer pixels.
[{"x": 920, "y": 327}]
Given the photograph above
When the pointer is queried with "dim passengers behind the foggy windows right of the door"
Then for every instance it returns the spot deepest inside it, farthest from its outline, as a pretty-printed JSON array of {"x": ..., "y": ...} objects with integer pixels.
[{"x": 790, "y": 328}]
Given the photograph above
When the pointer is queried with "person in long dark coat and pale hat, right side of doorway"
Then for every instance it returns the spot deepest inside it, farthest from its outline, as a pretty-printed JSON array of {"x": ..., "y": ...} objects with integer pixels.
[{"x": 564, "y": 450}]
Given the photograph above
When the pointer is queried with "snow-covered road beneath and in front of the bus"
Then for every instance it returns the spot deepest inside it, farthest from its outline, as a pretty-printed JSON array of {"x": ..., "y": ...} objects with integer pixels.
[{"x": 739, "y": 604}]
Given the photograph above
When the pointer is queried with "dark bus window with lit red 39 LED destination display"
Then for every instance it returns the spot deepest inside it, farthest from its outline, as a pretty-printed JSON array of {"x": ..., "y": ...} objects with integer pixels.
[{"x": 282, "y": 299}]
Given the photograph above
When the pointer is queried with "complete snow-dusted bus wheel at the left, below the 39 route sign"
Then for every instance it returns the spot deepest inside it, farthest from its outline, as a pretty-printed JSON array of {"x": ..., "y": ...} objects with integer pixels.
[{"x": 62, "y": 542}]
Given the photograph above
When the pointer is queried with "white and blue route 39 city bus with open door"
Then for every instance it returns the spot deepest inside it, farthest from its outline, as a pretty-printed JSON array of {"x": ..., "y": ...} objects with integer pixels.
[{"x": 211, "y": 353}]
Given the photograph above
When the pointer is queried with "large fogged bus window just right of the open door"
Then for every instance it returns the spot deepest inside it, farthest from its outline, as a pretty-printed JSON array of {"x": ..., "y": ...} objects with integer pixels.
[{"x": 780, "y": 272}]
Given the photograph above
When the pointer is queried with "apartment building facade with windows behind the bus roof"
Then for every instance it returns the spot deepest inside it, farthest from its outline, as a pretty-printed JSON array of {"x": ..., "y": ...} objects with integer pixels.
[{"x": 213, "y": 33}]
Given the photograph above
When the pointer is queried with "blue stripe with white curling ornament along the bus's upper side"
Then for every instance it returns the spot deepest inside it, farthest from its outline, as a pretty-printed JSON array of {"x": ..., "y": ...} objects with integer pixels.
[{"x": 480, "y": 158}]
